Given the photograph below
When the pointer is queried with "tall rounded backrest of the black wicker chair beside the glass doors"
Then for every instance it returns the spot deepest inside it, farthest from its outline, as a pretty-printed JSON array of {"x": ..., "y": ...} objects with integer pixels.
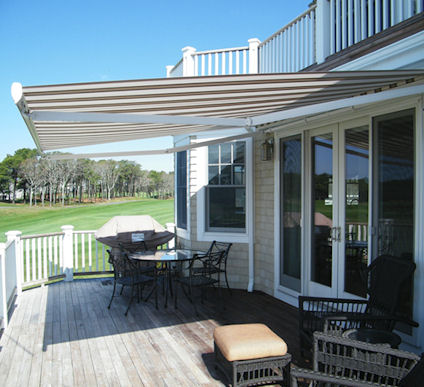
[{"x": 386, "y": 276}]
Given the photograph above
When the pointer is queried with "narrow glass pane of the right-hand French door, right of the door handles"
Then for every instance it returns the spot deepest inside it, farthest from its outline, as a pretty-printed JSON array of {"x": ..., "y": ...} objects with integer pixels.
[{"x": 356, "y": 184}]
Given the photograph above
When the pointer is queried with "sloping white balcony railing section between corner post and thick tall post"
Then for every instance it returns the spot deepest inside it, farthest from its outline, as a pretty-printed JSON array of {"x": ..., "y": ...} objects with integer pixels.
[{"x": 292, "y": 48}]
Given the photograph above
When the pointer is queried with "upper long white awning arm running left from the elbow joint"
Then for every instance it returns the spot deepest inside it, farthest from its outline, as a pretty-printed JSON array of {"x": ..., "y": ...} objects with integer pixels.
[{"x": 134, "y": 118}]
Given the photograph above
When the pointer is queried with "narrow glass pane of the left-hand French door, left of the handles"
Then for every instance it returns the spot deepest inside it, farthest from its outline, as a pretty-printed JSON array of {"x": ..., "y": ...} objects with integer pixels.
[{"x": 322, "y": 209}]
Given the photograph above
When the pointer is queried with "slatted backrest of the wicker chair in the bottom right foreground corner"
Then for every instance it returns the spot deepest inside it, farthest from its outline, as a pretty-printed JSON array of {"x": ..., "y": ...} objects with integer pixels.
[{"x": 342, "y": 357}]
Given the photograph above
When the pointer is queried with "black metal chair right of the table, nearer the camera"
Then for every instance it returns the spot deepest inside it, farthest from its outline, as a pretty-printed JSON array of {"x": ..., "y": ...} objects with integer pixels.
[{"x": 200, "y": 279}]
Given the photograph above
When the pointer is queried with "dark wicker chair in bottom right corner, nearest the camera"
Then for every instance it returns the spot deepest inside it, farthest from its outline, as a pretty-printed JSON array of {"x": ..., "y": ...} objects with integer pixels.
[{"x": 343, "y": 362}]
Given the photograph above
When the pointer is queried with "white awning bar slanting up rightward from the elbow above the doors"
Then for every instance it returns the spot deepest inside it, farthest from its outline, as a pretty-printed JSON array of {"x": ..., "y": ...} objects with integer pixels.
[{"x": 338, "y": 104}]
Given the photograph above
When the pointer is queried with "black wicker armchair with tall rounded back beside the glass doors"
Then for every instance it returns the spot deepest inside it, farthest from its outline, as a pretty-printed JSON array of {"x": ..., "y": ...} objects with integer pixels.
[{"x": 386, "y": 275}]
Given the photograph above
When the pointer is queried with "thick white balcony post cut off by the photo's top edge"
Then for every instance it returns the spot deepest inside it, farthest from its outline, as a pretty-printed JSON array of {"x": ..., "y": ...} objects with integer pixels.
[{"x": 323, "y": 27}]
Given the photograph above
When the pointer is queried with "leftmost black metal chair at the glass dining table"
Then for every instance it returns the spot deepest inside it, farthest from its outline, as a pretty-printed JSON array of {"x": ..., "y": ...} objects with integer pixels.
[{"x": 127, "y": 272}]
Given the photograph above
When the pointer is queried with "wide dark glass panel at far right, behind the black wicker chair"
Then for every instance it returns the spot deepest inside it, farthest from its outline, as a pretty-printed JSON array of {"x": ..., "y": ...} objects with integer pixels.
[{"x": 394, "y": 172}]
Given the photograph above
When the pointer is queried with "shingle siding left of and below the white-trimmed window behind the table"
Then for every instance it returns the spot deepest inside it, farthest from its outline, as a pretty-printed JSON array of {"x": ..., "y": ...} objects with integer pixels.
[{"x": 238, "y": 259}]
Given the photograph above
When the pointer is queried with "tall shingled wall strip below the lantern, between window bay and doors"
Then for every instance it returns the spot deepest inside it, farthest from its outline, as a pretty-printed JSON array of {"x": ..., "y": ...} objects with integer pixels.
[{"x": 264, "y": 222}]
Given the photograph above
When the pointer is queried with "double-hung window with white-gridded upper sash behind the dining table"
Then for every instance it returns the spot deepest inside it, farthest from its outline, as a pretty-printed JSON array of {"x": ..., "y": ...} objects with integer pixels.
[{"x": 226, "y": 190}]
